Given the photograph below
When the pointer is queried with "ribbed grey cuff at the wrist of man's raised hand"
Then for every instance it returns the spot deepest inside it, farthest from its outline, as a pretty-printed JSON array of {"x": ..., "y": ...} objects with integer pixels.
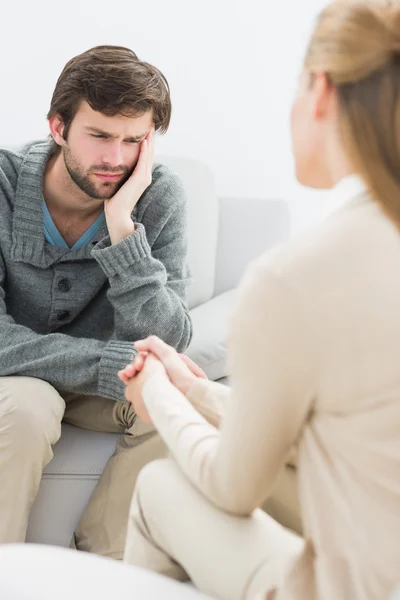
[{"x": 118, "y": 257}]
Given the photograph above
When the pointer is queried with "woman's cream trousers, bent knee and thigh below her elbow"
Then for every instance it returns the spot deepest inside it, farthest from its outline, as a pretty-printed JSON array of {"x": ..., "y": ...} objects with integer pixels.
[{"x": 176, "y": 531}]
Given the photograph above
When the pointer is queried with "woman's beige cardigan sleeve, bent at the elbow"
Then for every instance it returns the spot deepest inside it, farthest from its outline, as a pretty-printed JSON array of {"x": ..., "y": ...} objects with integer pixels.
[{"x": 271, "y": 366}]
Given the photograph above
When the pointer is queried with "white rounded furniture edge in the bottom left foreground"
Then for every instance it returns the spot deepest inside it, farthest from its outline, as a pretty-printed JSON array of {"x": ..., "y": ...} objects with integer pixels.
[{"x": 33, "y": 572}]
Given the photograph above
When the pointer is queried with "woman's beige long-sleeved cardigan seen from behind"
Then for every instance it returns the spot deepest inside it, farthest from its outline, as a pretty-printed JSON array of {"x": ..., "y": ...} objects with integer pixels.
[{"x": 314, "y": 354}]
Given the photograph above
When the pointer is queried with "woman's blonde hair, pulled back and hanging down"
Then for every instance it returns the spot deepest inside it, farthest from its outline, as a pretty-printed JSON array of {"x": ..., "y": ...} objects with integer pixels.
[{"x": 357, "y": 45}]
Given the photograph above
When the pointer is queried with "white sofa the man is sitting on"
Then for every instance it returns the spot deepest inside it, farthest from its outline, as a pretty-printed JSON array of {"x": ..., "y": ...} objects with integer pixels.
[{"x": 224, "y": 235}]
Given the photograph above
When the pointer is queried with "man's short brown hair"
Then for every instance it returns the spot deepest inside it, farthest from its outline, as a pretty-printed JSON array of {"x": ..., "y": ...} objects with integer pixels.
[{"x": 112, "y": 80}]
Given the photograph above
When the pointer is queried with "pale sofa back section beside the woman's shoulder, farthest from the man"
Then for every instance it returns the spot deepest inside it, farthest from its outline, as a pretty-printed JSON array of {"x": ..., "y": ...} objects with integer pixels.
[{"x": 247, "y": 228}]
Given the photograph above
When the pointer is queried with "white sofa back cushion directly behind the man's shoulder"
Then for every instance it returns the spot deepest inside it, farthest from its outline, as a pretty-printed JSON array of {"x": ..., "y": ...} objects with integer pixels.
[{"x": 203, "y": 211}]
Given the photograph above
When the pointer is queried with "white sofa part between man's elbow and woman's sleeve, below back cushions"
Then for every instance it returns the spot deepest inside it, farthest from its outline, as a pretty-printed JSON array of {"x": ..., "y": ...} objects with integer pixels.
[{"x": 210, "y": 331}]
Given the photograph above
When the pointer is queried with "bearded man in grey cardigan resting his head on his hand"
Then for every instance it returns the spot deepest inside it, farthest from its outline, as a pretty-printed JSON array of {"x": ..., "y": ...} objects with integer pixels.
[{"x": 92, "y": 257}]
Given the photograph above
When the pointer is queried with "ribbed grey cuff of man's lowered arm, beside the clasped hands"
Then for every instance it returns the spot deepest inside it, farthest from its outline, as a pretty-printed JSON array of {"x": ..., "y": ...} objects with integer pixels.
[{"x": 116, "y": 356}]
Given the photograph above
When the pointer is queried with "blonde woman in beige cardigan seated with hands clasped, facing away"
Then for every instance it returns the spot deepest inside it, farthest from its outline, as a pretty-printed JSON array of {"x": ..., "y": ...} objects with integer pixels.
[{"x": 314, "y": 360}]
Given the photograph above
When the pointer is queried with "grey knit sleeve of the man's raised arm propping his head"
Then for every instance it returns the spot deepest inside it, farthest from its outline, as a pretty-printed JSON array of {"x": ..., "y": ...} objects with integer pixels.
[{"x": 149, "y": 280}]
